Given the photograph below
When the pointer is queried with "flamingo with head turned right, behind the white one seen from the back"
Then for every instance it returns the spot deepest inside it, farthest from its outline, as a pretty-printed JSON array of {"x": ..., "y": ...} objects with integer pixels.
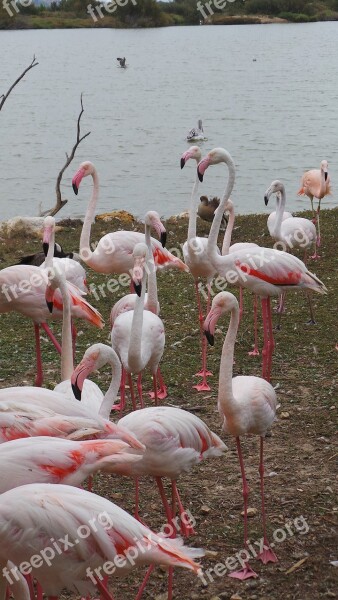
[{"x": 152, "y": 219}]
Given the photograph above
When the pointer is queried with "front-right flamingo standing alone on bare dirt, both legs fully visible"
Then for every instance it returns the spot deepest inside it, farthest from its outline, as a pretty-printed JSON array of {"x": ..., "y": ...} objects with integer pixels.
[{"x": 247, "y": 405}]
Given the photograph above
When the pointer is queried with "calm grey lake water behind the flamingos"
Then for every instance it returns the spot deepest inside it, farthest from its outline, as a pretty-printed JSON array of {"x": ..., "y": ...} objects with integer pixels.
[{"x": 267, "y": 93}]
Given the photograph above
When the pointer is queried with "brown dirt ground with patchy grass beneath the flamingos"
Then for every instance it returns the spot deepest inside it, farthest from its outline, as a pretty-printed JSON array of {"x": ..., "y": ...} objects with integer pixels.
[{"x": 300, "y": 456}]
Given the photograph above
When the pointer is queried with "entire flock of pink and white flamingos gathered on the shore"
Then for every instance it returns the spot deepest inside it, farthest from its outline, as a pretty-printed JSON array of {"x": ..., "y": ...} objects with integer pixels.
[{"x": 54, "y": 535}]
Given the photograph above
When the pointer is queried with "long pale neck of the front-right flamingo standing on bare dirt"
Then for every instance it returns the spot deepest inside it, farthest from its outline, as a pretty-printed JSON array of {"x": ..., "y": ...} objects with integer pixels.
[{"x": 226, "y": 398}]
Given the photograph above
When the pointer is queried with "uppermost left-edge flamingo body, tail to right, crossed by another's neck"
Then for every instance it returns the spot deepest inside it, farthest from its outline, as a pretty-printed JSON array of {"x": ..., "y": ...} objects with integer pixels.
[{"x": 22, "y": 290}]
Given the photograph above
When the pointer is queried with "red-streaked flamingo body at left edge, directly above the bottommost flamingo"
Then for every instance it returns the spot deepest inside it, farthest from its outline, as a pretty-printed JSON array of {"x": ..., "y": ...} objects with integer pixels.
[{"x": 47, "y": 459}]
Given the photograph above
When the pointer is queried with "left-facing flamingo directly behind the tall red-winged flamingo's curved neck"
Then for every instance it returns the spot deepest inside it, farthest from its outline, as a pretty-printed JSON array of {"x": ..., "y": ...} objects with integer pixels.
[{"x": 195, "y": 256}]
